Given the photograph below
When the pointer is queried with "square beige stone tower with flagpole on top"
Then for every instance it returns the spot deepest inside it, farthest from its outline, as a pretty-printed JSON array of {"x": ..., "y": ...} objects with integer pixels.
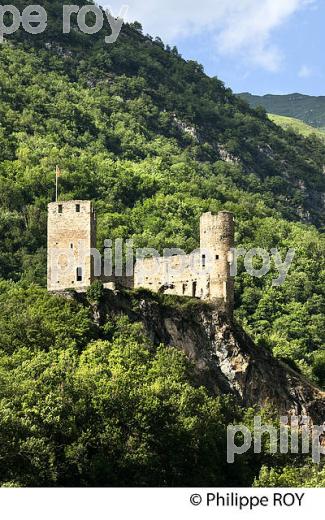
[{"x": 71, "y": 237}]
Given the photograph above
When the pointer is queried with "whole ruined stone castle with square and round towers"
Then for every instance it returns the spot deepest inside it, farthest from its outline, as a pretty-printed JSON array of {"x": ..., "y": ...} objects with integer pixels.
[{"x": 204, "y": 274}]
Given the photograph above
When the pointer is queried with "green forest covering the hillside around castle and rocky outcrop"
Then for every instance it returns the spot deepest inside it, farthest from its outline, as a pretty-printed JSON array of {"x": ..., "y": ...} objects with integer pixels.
[{"x": 153, "y": 142}]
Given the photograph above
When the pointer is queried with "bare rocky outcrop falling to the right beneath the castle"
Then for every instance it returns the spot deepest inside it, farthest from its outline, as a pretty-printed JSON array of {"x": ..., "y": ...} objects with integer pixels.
[{"x": 226, "y": 359}]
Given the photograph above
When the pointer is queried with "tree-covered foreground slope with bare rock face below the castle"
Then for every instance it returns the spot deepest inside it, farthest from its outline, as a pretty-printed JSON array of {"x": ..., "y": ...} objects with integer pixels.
[{"x": 90, "y": 396}]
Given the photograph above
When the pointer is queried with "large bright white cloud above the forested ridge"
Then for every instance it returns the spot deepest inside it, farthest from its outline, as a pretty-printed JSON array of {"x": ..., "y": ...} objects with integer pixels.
[{"x": 239, "y": 27}]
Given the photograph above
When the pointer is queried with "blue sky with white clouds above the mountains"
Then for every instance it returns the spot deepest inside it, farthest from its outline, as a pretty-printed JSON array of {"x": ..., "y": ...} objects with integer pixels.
[{"x": 257, "y": 46}]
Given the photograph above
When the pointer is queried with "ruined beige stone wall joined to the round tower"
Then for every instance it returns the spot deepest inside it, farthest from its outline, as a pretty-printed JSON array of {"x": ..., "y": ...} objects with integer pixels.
[{"x": 205, "y": 274}]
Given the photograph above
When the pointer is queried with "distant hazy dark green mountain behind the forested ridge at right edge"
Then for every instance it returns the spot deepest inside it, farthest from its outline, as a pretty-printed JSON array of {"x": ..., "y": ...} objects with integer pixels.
[{"x": 310, "y": 109}]
